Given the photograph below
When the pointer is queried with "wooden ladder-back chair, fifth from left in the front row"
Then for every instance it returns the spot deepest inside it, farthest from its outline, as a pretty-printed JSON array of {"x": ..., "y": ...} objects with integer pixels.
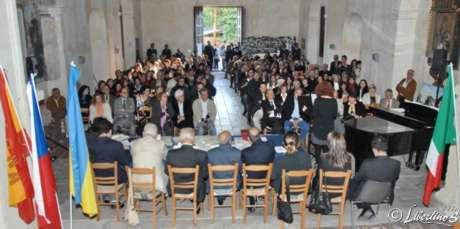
[{"x": 255, "y": 187}]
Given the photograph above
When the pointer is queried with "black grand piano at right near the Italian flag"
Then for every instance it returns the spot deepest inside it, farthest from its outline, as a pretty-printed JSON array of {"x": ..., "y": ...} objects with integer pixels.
[{"x": 409, "y": 132}]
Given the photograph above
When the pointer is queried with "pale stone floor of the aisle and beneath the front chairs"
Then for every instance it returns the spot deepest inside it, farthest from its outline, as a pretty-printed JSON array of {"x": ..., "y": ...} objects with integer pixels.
[{"x": 409, "y": 192}]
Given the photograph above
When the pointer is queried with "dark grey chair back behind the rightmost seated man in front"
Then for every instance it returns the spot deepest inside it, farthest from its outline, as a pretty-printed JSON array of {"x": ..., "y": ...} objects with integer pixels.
[{"x": 374, "y": 192}]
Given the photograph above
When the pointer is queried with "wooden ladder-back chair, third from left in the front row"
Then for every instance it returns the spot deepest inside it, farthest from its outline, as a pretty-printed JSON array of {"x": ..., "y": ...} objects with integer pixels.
[{"x": 191, "y": 185}]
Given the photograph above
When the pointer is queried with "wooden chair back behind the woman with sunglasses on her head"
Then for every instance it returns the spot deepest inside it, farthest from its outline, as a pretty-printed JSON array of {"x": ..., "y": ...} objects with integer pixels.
[{"x": 296, "y": 188}]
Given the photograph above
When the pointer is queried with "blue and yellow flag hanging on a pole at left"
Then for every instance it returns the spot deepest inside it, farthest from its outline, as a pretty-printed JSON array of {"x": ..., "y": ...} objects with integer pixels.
[{"x": 80, "y": 174}]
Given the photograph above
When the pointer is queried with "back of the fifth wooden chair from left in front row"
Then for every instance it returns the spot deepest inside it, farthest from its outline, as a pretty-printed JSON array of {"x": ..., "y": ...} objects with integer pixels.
[{"x": 257, "y": 182}]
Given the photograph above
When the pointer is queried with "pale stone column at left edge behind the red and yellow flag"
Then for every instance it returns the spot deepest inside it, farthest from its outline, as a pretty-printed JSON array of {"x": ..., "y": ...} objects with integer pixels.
[{"x": 11, "y": 59}]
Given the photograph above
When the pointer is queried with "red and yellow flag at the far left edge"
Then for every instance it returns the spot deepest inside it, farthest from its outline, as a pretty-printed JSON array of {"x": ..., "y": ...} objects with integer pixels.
[{"x": 20, "y": 189}]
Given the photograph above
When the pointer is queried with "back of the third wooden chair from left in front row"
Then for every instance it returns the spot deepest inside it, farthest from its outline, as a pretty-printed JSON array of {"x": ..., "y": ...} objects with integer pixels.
[{"x": 192, "y": 185}]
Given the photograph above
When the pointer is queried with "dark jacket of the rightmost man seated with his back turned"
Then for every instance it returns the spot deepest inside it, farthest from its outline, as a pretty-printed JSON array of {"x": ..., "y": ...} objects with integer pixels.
[{"x": 381, "y": 169}]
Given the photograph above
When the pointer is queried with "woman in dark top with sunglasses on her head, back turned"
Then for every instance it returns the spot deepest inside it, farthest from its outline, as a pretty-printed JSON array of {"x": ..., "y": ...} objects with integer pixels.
[{"x": 294, "y": 159}]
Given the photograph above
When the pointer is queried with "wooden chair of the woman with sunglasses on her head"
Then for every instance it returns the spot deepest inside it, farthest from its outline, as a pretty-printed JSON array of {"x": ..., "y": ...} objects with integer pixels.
[{"x": 300, "y": 191}]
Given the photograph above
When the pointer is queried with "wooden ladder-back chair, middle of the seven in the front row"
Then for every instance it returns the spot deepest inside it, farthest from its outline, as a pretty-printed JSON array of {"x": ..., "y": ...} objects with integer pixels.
[{"x": 222, "y": 187}]
